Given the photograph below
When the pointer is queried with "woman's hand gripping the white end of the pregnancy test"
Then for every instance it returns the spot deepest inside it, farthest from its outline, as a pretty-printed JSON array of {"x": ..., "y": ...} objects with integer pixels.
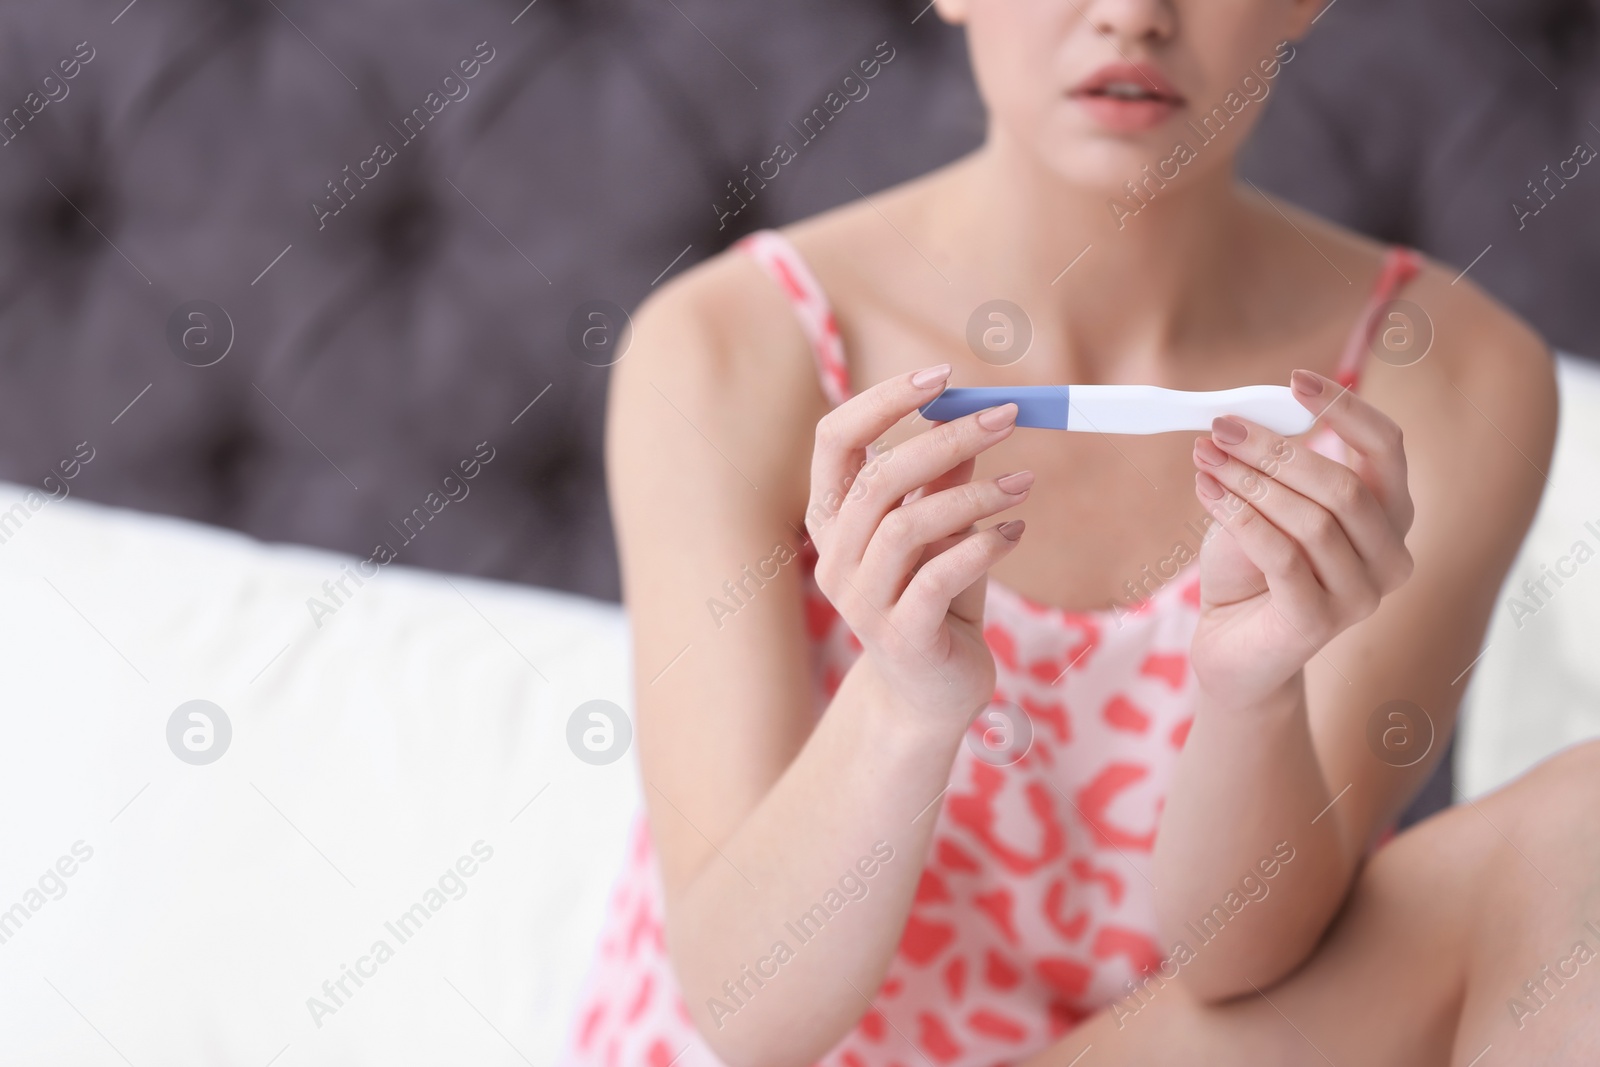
[{"x": 1308, "y": 546}]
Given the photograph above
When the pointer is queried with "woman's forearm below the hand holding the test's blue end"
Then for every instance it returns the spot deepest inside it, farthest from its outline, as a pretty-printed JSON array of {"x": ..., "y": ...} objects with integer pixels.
[{"x": 868, "y": 778}]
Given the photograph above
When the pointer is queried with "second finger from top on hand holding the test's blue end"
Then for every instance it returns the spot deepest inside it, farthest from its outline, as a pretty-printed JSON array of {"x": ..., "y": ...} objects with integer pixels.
[{"x": 913, "y": 465}]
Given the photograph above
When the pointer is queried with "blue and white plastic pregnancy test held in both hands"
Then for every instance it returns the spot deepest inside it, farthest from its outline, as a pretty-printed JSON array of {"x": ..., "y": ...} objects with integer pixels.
[{"x": 1127, "y": 409}]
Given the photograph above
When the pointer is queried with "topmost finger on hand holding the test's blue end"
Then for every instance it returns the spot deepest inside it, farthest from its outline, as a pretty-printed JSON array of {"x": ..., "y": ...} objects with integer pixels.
[{"x": 846, "y": 433}]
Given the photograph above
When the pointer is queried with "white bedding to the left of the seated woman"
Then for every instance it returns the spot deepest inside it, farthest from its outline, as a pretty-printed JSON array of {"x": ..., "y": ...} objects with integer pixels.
[{"x": 367, "y": 757}]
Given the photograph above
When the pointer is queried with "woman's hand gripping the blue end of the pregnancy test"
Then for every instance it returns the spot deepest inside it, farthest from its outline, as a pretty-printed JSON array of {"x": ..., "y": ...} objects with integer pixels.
[{"x": 900, "y": 554}]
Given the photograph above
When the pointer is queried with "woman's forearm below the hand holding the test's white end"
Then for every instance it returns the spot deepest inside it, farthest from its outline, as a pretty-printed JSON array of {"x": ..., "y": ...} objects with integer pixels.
[{"x": 1247, "y": 785}]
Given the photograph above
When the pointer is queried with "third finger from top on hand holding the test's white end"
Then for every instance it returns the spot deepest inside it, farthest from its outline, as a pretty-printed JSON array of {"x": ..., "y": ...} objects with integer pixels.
[{"x": 1338, "y": 567}]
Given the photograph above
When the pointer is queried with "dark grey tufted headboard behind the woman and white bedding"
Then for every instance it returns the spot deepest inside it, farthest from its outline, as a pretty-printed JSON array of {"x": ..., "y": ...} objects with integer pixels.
[{"x": 298, "y": 266}]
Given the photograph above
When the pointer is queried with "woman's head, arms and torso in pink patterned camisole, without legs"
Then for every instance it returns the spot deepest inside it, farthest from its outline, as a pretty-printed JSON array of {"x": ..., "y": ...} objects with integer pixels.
[{"x": 950, "y": 743}]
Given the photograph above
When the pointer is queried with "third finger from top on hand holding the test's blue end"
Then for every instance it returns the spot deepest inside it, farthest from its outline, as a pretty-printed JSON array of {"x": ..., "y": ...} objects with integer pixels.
[{"x": 908, "y": 532}]
